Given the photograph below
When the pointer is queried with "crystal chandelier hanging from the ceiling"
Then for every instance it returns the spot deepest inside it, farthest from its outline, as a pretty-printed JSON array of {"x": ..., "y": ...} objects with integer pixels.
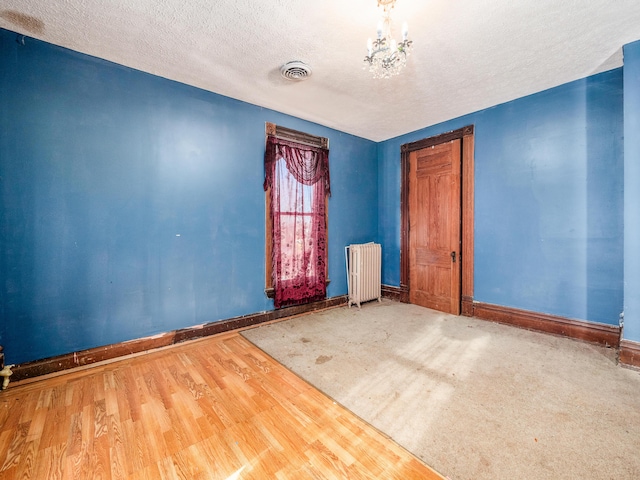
[{"x": 386, "y": 57}]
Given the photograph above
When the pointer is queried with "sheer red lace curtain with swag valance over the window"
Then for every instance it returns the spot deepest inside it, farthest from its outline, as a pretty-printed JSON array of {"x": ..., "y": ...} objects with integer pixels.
[{"x": 298, "y": 176}]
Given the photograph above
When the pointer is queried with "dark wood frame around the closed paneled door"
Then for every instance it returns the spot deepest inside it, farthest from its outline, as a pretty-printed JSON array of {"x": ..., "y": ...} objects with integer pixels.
[{"x": 466, "y": 136}]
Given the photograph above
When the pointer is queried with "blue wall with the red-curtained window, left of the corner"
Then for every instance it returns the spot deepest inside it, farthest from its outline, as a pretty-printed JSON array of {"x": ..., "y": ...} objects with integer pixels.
[{"x": 133, "y": 205}]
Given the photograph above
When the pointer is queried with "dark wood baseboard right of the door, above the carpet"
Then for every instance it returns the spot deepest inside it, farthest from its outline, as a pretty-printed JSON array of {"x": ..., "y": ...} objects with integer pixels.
[{"x": 608, "y": 335}]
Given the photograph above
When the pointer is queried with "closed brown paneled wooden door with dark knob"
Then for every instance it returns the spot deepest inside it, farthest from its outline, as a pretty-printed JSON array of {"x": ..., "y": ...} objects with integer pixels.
[{"x": 435, "y": 227}]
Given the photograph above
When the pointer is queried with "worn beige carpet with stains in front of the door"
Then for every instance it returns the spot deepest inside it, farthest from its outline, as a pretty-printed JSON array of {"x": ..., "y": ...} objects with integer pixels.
[{"x": 473, "y": 399}]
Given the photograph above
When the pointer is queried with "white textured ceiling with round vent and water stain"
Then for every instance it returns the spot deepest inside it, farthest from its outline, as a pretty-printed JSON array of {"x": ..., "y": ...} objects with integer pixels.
[{"x": 468, "y": 54}]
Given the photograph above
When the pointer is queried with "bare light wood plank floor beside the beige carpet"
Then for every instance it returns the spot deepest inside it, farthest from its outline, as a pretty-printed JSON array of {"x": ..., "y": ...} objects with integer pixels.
[{"x": 217, "y": 408}]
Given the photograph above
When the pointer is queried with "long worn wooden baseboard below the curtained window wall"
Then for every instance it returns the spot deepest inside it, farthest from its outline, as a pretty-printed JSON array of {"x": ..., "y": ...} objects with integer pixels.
[{"x": 109, "y": 352}]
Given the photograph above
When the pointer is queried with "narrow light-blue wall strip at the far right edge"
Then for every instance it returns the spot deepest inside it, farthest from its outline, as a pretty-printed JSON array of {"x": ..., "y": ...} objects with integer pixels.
[{"x": 632, "y": 191}]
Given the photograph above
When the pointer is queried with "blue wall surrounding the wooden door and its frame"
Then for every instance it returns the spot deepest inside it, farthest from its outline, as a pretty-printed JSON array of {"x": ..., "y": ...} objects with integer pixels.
[{"x": 548, "y": 200}]
